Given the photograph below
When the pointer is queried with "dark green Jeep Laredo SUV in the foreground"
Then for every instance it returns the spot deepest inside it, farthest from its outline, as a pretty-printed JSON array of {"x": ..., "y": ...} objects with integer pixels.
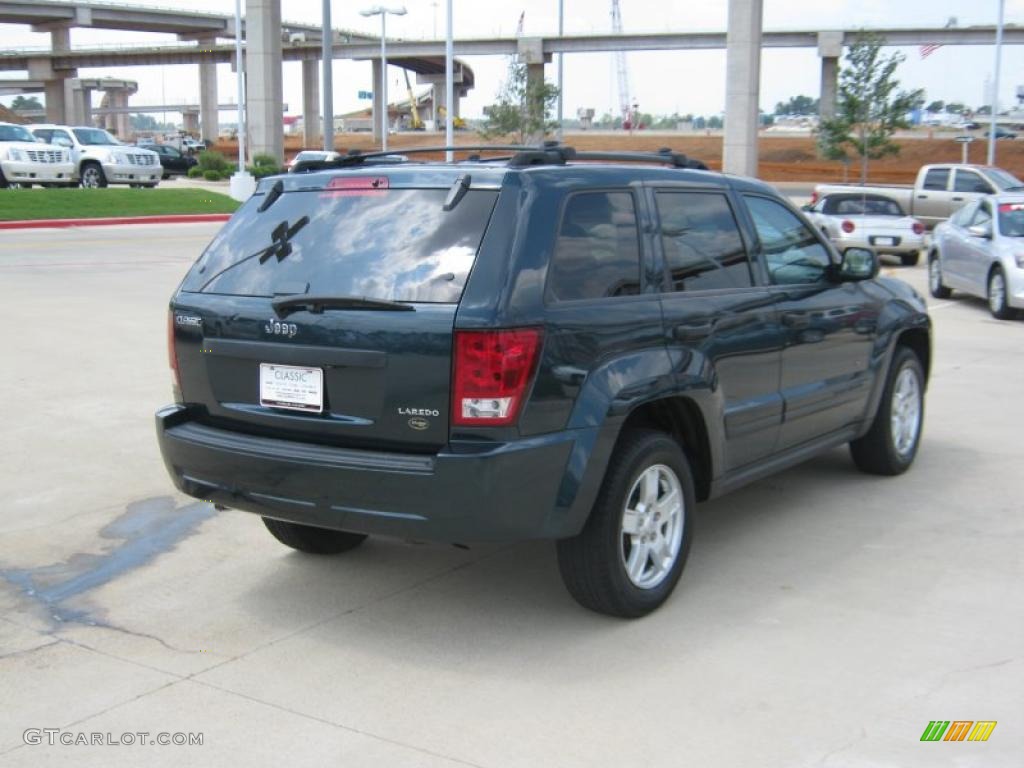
[{"x": 536, "y": 349}]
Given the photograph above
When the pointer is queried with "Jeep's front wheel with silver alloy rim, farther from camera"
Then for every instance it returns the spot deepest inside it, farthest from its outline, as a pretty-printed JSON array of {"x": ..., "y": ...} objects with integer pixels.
[{"x": 891, "y": 444}]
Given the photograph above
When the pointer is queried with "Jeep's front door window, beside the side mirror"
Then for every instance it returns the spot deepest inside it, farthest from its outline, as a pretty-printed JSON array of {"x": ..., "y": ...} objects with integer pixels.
[{"x": 793, "y": 254}]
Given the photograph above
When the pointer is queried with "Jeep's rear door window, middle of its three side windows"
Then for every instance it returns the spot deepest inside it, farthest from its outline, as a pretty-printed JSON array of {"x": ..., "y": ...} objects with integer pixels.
[{"x": 702, "y": 242}]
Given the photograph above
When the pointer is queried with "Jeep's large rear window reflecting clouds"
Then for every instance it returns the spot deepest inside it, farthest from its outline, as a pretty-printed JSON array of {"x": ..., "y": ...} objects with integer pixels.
[{"x": 398, "y": 245}]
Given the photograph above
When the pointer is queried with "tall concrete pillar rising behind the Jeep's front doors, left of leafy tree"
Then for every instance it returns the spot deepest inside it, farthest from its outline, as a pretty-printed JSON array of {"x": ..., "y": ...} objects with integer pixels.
[{"x": 743, "y": 88}]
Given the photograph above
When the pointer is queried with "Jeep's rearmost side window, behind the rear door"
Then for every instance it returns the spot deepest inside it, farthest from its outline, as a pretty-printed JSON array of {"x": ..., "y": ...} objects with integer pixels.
[{"x": 598, "y": 253}]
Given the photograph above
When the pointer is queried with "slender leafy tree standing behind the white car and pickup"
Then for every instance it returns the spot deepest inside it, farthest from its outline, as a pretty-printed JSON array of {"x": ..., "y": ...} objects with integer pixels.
[{"x": 870, "y": 109}]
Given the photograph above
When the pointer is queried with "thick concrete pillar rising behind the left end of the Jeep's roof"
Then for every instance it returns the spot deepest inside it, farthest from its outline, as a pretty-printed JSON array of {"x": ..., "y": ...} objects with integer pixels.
[{"x": 264, "y": 86}]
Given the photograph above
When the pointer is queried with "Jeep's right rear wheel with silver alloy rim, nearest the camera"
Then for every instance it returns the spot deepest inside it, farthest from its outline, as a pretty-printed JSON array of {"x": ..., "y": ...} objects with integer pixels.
[{"x": 631, "y": 553}]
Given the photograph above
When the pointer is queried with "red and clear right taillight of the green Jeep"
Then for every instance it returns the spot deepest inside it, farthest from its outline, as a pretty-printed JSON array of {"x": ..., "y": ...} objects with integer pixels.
[{"x": 491, "y": 374}]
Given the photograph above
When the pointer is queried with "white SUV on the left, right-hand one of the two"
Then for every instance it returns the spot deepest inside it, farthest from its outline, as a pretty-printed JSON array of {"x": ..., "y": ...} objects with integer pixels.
[{"x": 100, "y": 159}]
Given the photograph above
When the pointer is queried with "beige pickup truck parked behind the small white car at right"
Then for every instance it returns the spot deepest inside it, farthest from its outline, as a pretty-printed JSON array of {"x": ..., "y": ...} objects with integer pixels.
[{"x": 940, "y": 191}]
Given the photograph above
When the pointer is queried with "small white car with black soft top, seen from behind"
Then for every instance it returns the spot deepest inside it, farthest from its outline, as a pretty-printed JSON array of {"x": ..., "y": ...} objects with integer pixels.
[{"x": 872, "y": 222}]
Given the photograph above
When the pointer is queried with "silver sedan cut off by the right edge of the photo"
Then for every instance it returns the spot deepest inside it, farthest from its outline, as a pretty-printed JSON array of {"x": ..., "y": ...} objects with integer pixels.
[{"x": 980, "y": 251}]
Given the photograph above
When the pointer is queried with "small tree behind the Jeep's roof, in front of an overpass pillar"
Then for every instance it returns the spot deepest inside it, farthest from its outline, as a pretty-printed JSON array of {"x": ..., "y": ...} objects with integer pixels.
[{"x": 524, "y": 108}]
